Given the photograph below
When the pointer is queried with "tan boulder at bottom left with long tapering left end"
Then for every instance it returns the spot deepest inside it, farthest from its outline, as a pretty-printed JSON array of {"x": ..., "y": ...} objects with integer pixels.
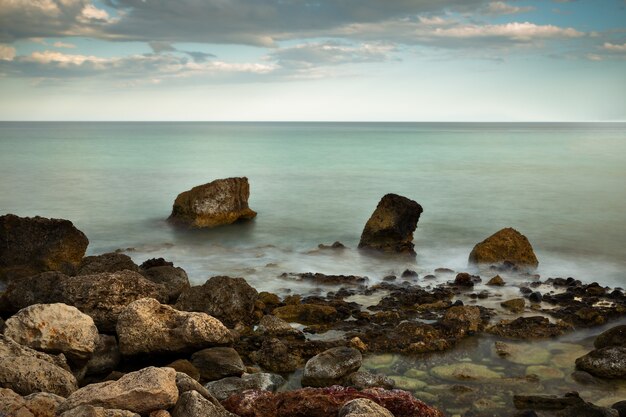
[{"x": 143, "y": 391}]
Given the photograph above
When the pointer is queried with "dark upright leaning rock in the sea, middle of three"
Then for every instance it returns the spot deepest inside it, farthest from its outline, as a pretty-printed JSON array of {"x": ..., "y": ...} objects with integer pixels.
[{"x": 391, "y": 227}]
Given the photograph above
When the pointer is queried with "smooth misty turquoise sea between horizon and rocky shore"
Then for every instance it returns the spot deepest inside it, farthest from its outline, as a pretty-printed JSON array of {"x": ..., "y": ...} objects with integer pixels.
[{"x": 562, "y": 185}]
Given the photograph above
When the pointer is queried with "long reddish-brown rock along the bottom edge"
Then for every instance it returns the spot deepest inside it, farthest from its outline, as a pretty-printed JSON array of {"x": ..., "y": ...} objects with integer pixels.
[{"x": 323, "y": 402}]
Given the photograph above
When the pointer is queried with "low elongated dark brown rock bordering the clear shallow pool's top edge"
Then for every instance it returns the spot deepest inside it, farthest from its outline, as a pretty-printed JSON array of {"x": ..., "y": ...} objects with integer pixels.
[{"x": 536, "y": 327}]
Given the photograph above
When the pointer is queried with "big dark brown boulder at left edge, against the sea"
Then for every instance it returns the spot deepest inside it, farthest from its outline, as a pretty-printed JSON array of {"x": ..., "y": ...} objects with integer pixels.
[{"x": 30, "y": 245}]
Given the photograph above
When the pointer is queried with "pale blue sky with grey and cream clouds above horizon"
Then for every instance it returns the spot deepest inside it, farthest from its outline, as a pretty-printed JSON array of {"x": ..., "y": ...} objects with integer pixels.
[{"x": 313, "y": 60}]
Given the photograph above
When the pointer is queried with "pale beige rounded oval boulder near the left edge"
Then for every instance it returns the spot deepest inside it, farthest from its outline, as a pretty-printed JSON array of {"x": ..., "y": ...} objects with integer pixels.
[{"x": 54, "y": 328}]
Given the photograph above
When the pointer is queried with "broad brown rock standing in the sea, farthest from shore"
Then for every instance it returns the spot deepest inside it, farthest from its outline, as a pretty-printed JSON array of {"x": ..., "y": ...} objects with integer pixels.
[{"x": 220, "y": 202}]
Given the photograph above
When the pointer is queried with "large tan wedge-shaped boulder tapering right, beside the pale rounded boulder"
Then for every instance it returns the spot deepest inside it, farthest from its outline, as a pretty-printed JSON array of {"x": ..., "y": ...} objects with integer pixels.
[{"x": 147, "y": 326}]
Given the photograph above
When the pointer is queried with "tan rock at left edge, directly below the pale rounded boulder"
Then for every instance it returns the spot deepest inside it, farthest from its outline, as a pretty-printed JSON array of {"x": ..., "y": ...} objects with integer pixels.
[{"x": 27, "y": 371}]
